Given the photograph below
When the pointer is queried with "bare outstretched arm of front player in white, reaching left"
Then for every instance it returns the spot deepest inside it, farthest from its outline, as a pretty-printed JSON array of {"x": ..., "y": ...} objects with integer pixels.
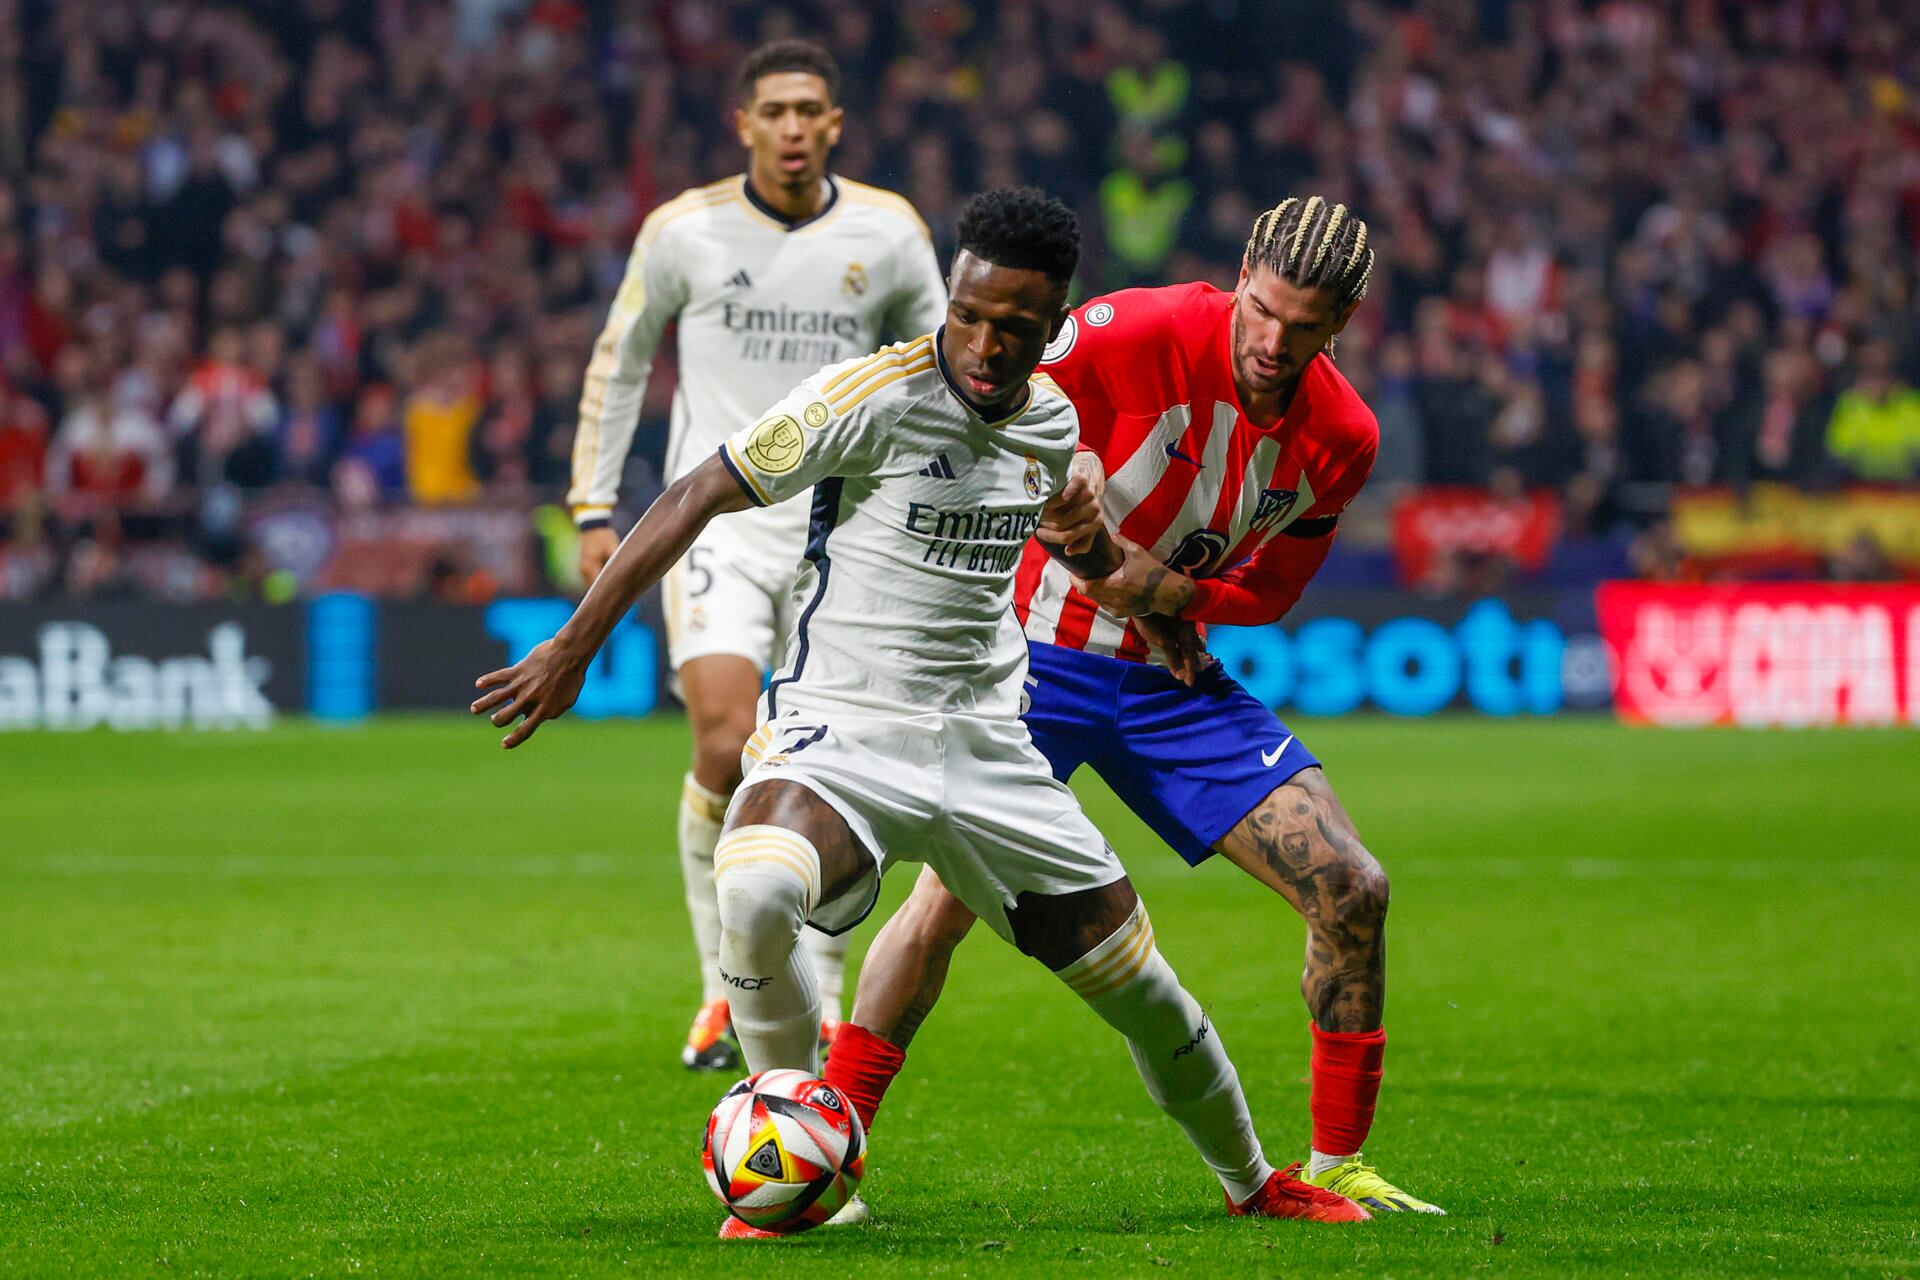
[{"x": 546, "y": 682}]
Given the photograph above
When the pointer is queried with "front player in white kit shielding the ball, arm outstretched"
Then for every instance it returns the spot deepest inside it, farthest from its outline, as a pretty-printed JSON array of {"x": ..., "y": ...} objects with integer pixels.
[{"x": 894, "y": 728}]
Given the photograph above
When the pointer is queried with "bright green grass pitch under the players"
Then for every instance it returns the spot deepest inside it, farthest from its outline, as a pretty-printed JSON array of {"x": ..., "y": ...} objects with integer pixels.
[{"x": 393, "y": 1001}]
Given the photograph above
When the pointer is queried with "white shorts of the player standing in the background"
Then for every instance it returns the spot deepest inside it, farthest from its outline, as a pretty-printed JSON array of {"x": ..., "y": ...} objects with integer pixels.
[{"x": 731, "y": 594}]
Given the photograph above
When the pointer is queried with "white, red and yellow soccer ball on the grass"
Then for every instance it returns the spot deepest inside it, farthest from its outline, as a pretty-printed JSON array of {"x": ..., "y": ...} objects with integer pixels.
[{"x": 784, "y": 1150}]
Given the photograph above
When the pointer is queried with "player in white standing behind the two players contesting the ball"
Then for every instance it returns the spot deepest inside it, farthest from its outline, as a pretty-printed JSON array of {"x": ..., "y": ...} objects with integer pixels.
[{"x": 771, "y": 275}]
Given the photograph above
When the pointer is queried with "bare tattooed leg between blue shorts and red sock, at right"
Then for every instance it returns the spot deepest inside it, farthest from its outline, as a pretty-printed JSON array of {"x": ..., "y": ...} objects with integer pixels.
[{"x": 1303, "y": 845}]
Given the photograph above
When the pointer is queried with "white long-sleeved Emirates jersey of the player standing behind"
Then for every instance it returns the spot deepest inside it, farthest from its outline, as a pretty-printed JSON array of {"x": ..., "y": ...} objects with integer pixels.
[{"x": 761, "y": 304}]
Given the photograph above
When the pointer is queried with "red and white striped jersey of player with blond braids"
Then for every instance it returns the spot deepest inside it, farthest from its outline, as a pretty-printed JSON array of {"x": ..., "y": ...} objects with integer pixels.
[{"x": 1247, "y": 511}]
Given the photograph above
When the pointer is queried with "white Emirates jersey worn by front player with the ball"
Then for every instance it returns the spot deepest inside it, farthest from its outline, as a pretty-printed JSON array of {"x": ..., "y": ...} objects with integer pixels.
[{"x": 919, "y": 519}]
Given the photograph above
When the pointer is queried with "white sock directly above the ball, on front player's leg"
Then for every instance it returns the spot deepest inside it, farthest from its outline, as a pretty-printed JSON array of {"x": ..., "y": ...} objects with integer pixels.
[{"x": 769, "y": 882}]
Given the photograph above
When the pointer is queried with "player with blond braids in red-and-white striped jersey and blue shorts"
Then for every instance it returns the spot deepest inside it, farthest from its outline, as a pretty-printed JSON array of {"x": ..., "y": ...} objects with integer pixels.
[{"x": 1224, "y": 444}]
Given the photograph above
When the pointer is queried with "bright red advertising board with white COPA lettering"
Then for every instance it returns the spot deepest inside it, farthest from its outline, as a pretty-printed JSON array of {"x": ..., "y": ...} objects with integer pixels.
[{"x": 1764, "y": 653}]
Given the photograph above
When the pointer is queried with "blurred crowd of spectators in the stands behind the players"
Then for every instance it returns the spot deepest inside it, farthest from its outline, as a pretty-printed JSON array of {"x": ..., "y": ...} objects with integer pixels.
[{"x": 360, "y": 249}]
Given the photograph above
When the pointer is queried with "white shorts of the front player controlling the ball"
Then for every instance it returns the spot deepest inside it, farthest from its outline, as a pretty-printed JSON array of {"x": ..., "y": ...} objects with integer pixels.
[{"x": 967, "y": 795}]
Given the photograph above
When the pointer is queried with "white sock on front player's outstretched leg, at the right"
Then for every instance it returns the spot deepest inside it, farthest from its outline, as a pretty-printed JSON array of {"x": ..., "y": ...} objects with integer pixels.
[{"x": 1176, "y": 1051}]
